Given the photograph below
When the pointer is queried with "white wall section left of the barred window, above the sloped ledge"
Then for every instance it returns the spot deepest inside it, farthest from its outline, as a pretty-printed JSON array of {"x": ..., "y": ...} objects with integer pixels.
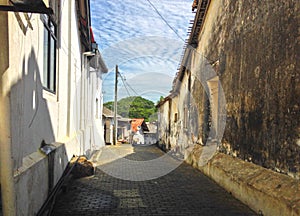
[{"x": 30, "y": 116}]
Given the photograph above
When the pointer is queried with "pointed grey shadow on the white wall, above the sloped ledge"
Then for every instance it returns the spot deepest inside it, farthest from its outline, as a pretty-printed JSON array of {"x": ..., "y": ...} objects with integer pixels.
[{"x": 30, "y": 117}]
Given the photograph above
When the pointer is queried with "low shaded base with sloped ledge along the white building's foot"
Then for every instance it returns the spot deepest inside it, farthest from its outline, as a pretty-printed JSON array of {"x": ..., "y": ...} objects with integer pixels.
[{"x": 32, "y": 180}]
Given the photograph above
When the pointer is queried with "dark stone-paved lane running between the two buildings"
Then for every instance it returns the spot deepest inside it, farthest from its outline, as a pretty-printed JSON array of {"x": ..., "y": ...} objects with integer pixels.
[{"x": 184, "y": 191}]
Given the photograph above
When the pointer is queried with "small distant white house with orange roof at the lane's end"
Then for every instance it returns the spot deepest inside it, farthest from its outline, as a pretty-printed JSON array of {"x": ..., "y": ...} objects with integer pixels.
[{"x": 138, "y": 127}]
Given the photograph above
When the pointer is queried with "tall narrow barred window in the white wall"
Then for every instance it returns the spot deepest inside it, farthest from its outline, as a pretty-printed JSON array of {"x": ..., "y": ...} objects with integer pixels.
[{"x": 50, "y": 43}]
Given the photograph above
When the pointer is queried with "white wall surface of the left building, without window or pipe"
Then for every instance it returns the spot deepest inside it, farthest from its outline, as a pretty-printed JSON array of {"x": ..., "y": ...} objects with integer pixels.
[{"x": 38, "y": 115}]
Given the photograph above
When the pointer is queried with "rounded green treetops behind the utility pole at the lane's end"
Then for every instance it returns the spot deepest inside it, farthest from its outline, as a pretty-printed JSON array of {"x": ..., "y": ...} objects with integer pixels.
[{"x": 135, "y": 107}]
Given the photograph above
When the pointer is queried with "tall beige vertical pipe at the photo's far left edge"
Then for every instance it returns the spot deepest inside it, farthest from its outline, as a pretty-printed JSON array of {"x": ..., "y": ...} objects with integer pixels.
[{"x": 6, "y": 162}]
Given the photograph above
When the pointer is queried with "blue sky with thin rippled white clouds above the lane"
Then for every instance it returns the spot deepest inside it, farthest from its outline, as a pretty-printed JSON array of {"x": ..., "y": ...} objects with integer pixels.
[{"x": 133, "y": 35}]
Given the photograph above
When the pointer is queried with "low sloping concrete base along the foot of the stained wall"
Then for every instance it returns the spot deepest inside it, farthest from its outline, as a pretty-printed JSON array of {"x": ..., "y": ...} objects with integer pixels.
[{"x": 263, "y": 190}]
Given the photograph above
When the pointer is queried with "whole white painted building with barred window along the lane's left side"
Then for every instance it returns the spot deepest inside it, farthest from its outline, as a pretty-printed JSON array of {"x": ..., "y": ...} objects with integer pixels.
[{"x": 50, "y": 92}]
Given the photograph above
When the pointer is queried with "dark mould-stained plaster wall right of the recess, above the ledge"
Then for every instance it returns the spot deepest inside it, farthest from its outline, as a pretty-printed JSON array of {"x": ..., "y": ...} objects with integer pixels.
[{"x": 257, "y": 45}]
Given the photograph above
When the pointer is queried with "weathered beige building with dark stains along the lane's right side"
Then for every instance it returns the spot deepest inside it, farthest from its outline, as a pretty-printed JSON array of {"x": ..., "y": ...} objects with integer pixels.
[{"x": 236, "y": 96}]
